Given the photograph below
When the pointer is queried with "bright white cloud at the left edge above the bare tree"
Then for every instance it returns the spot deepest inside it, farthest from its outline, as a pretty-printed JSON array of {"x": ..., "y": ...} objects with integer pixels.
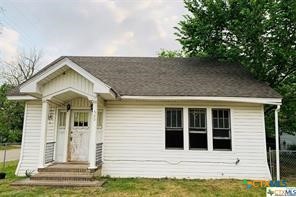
[{"x": 8, "y": 44}]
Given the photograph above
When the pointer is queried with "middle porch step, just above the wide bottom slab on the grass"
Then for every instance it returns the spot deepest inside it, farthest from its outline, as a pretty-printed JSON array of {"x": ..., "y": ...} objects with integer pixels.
[{"x": 69, "y": 176}]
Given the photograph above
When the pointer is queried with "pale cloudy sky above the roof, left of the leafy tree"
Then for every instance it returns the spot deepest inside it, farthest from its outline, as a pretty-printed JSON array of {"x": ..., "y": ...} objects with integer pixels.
[{"x": 88, "y": 27}]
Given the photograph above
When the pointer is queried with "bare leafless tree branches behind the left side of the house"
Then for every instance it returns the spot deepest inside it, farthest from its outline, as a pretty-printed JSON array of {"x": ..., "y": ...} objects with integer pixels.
[{"x": 17, "y": 72}]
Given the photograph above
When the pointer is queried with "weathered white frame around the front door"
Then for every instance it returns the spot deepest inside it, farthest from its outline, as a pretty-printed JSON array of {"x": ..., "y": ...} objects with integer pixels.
[{"x": 70, "y": 127}]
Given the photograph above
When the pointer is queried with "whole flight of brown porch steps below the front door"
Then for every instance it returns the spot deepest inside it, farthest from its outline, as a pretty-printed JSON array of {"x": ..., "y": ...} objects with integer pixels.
[{"x": 70, "y": 174}]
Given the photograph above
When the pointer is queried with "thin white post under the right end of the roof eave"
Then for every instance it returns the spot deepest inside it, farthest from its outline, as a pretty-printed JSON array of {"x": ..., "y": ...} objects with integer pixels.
[{"x": 277, "y": 142}]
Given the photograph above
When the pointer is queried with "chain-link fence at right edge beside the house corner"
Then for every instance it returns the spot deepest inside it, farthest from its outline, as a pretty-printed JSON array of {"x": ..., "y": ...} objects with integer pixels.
[{"x": 287, "y": 164}]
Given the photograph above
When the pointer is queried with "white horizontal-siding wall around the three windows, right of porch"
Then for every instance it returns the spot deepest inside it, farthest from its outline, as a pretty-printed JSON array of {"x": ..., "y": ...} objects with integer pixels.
[{"x": 134, "y": 143}]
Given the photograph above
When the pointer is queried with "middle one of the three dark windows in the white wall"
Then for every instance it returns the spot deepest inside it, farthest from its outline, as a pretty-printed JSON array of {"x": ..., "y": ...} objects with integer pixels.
[{"x": 198, "y": 129}]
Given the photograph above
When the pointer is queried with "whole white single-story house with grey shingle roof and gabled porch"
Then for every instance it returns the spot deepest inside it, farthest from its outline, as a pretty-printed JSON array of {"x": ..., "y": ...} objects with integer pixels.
[{"x": 146, "y": 117}]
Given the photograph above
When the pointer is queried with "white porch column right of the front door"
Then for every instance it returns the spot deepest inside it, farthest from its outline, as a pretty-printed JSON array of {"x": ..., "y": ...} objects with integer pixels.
[{"x": 92, "y": 135}]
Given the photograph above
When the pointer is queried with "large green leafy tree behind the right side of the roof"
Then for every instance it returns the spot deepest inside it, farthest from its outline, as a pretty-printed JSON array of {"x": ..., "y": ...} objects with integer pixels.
[{"x": 258, "y": 34}]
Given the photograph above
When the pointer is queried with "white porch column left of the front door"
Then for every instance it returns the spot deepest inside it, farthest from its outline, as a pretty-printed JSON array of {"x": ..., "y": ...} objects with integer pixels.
[{"x": 43, "y": 133}]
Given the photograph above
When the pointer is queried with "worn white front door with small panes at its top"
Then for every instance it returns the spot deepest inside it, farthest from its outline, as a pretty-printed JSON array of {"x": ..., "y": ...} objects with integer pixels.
[{"x": 79, "y": 135}]
